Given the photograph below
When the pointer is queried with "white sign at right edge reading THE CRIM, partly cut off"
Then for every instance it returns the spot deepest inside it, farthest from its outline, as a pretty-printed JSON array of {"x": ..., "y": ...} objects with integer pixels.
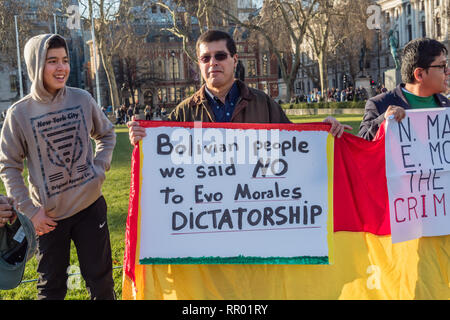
[{"x": 417, "y": 172}]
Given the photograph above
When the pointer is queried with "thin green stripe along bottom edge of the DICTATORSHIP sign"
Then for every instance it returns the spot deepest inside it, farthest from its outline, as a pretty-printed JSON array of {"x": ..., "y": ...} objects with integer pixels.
[{"x": 237, "y": 260}]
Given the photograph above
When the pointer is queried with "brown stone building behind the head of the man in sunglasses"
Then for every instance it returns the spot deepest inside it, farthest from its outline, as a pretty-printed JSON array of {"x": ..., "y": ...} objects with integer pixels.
[{"x": 164, "y": 75}]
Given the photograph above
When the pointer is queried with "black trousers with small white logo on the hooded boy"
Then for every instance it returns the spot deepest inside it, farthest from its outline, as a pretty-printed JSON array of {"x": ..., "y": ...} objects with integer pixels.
[{"x": 89, "y": 231}]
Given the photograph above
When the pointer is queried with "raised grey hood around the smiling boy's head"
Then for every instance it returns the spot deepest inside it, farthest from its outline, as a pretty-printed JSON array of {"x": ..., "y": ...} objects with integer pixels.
[{"x": 35, "y": 53}]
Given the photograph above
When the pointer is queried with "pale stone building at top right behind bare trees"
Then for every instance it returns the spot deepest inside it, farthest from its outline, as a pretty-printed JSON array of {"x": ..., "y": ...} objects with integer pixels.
[{"x": 408, "y": 20}]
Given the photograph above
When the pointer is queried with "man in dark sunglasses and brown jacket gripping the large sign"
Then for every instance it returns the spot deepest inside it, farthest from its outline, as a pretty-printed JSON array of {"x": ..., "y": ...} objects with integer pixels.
[{"x": 224, "y": 98}]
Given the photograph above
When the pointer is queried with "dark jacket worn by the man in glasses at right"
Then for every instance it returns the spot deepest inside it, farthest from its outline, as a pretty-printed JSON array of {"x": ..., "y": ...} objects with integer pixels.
[{"x": 377, "y": 106}]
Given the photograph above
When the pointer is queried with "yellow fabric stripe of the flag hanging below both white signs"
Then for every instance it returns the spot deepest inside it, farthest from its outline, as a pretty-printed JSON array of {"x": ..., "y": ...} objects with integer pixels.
[{"x": 365, "y": 266}]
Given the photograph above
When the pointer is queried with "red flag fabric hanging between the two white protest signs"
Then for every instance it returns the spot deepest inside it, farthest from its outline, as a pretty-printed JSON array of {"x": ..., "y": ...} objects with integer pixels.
[{"x": 360, "y": 187}]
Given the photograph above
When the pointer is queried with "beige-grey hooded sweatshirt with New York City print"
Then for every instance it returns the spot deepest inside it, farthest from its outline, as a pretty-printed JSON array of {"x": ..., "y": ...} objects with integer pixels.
[{"x": 53, "y": 133}]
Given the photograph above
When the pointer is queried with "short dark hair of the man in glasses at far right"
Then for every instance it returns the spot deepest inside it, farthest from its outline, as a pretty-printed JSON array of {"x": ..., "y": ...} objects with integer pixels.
[{"x": 420, "y": 53}]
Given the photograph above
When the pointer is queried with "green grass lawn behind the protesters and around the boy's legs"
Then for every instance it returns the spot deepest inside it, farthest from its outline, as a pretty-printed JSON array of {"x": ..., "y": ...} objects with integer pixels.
[{"x": 116, "y": 190}]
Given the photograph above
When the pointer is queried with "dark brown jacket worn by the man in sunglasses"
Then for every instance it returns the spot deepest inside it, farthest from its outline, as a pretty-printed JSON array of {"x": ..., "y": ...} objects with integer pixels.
[{"x": 254, "y": 106}]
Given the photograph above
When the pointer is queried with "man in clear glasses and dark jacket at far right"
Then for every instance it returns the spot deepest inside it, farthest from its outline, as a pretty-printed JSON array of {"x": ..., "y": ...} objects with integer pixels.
[{"x": 426, "y": 75}]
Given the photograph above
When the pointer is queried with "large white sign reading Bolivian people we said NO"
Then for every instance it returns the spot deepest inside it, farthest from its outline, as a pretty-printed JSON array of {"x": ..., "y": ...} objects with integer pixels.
[{"x": 216, "y": 195}]
